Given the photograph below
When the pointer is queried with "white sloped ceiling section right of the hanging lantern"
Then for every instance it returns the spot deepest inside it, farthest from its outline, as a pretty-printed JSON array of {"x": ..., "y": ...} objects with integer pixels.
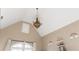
[{"x": 55, "y": 18}]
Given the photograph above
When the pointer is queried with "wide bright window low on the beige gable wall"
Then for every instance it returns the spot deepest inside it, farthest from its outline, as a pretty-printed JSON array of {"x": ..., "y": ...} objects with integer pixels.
[{"x": 20, "y": 46}]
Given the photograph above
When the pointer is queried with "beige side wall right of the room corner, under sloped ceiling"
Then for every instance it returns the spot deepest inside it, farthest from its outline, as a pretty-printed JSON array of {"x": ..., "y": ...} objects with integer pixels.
[{"x": 63, "y": 34}]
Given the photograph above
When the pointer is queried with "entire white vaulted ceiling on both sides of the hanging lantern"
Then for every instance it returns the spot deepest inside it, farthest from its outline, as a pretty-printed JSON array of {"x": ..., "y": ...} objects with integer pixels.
[{"x": 51, "y": 18}]
